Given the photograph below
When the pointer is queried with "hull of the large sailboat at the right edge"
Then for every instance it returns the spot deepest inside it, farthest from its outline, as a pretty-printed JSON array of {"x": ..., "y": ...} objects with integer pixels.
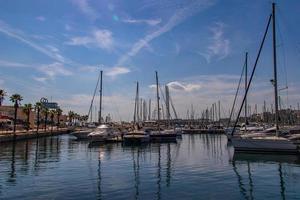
[{"x": 264, "y": 146}]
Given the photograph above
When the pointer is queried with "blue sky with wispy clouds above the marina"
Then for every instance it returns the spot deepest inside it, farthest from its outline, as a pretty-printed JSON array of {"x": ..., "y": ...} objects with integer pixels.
[{"x": 55, "y": 49}]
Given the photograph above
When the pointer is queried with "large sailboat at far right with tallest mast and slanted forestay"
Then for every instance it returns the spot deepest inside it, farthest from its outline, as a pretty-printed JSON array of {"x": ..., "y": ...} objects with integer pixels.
[{"x": 263, "y": 142}]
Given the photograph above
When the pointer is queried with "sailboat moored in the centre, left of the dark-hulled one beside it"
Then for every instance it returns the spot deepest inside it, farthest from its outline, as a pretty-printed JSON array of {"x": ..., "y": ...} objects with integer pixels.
[{"x": 136, "y": 136}]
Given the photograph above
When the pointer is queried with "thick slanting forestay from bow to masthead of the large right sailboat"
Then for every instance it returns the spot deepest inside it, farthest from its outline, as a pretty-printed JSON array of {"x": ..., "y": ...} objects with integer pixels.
[{"x": 252, "y": 74}]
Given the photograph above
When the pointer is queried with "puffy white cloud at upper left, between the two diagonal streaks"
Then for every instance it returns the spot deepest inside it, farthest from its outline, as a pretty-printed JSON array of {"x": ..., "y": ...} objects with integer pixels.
[{"x": 99, "y": 38}]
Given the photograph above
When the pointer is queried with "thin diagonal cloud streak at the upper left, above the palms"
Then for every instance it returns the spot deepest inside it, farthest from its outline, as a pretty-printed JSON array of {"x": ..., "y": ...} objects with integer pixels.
[{"x": 22, "y": 37}]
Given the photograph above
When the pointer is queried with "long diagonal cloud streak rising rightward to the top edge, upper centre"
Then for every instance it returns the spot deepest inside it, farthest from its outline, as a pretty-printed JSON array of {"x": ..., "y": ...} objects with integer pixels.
[{"x": 180, "y": 15}]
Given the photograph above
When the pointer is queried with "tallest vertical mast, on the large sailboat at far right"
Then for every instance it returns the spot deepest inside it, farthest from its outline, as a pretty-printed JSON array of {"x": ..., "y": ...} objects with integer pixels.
[{"x": 275, "y": 68}]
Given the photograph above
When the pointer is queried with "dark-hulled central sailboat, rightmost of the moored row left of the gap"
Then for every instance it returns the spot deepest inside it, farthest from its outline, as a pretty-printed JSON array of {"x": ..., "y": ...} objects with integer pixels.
[{"x": 161, "y": 135}]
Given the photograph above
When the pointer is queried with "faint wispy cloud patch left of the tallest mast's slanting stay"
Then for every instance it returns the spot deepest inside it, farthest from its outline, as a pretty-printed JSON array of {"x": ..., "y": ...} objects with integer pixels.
[{"x": 219, "y": 46}]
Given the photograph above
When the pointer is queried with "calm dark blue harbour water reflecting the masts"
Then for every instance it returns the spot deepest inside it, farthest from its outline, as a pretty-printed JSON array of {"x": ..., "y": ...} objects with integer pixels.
[{"x": 197, "y": 167}]
